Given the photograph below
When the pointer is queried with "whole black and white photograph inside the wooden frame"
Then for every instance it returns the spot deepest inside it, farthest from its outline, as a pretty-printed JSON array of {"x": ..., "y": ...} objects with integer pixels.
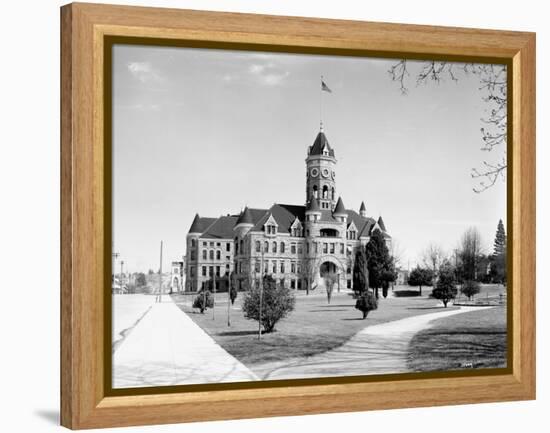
[{"x": 297, "y": 216}]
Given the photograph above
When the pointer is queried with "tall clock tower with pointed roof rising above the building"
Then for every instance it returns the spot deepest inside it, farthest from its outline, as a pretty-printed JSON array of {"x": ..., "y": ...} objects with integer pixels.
[{"x": 321, "y": 165}]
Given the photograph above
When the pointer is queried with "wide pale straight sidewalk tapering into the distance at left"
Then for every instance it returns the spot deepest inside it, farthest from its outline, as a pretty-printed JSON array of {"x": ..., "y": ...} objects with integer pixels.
[{"x": 167, "y": 348}]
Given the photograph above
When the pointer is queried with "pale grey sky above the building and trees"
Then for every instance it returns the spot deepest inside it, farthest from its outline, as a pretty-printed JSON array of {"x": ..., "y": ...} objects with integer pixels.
[{"x": 211, "y": 131}]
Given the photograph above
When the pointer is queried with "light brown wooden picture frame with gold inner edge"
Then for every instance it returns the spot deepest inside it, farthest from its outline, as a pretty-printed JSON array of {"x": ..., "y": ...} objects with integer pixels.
[{"x": 88, "y": 32}]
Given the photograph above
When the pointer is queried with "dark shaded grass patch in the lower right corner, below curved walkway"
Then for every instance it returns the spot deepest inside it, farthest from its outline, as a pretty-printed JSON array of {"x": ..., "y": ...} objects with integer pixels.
[{"x": 469, "y": 340}]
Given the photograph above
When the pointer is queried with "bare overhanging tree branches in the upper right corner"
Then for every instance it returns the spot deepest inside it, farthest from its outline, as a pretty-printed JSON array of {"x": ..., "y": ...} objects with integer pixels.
[{"x": 493, "y": 88}]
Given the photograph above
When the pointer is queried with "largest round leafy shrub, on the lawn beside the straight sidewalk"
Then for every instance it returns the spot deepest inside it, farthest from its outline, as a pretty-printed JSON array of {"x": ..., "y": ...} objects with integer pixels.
[{"x": 277, "y": 303}]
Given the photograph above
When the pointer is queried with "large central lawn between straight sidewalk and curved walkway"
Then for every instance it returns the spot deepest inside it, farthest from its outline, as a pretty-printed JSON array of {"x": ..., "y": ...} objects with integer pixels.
[{"x": 313, "y": 327}]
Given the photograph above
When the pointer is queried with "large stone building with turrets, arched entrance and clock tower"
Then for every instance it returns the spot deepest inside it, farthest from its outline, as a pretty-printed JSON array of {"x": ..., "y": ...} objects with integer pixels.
[{"x": 299, "y": 245}]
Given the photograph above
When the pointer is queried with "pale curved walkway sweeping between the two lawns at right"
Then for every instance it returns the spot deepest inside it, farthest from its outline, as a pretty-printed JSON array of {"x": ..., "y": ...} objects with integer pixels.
[{"x": 377, "y": 349}]
